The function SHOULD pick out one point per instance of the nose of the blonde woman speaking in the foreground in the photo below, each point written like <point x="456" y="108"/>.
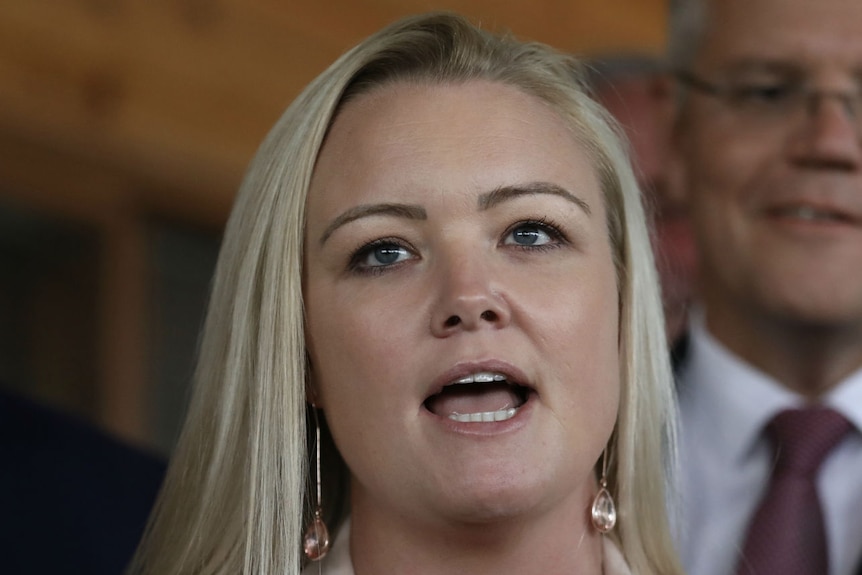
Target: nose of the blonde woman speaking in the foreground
<point x="469" y="299"/>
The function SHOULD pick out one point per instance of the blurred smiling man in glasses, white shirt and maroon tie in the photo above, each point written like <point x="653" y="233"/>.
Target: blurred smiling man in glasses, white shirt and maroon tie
<point x="768" y="147"/>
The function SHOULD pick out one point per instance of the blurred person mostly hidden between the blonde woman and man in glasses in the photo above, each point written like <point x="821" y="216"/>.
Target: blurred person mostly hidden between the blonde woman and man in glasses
<point x="630" y="87"/>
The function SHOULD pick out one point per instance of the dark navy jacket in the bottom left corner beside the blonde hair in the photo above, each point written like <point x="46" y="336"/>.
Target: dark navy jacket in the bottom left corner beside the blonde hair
<point x="72" y="500"/>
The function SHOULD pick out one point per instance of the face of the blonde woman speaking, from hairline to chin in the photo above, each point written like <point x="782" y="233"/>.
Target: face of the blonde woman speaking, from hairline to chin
<point x="461" y="302"/>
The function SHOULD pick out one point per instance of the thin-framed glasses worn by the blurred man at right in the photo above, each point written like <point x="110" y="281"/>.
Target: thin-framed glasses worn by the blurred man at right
<point x="765" y="103"/>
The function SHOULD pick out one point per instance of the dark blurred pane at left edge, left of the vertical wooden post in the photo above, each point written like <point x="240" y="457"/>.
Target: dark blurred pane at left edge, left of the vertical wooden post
<point x="49" y="309"/>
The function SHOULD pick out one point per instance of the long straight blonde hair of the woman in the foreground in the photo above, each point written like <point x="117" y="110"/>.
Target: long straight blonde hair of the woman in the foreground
<point x="236" y="495"/>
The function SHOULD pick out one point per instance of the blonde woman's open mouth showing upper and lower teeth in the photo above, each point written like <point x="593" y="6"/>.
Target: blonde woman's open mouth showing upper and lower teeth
<point x="481" y="397"/>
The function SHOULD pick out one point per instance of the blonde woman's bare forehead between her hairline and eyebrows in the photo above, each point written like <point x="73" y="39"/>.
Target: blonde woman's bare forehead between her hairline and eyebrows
<point x="428" y="127"/>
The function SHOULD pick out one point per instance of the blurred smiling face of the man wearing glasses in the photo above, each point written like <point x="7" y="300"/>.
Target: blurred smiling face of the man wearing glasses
<point x="775" y="177"/>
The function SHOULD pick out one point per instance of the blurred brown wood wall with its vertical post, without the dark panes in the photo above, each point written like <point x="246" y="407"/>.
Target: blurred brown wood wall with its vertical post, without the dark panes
<point x="116" y="113"/>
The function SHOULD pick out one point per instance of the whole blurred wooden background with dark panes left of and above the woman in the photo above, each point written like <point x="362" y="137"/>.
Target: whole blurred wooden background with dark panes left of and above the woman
<point x="125" y="128"/>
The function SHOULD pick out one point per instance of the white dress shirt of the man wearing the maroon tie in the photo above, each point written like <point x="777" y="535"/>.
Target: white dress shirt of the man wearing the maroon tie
<point x="725" y="404"/>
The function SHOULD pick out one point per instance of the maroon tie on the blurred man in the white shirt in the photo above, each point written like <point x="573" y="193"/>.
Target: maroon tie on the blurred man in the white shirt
<point x="786" y="535"/>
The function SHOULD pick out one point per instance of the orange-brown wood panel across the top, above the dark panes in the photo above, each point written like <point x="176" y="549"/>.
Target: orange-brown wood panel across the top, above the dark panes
<point x="181" y="92"/>
